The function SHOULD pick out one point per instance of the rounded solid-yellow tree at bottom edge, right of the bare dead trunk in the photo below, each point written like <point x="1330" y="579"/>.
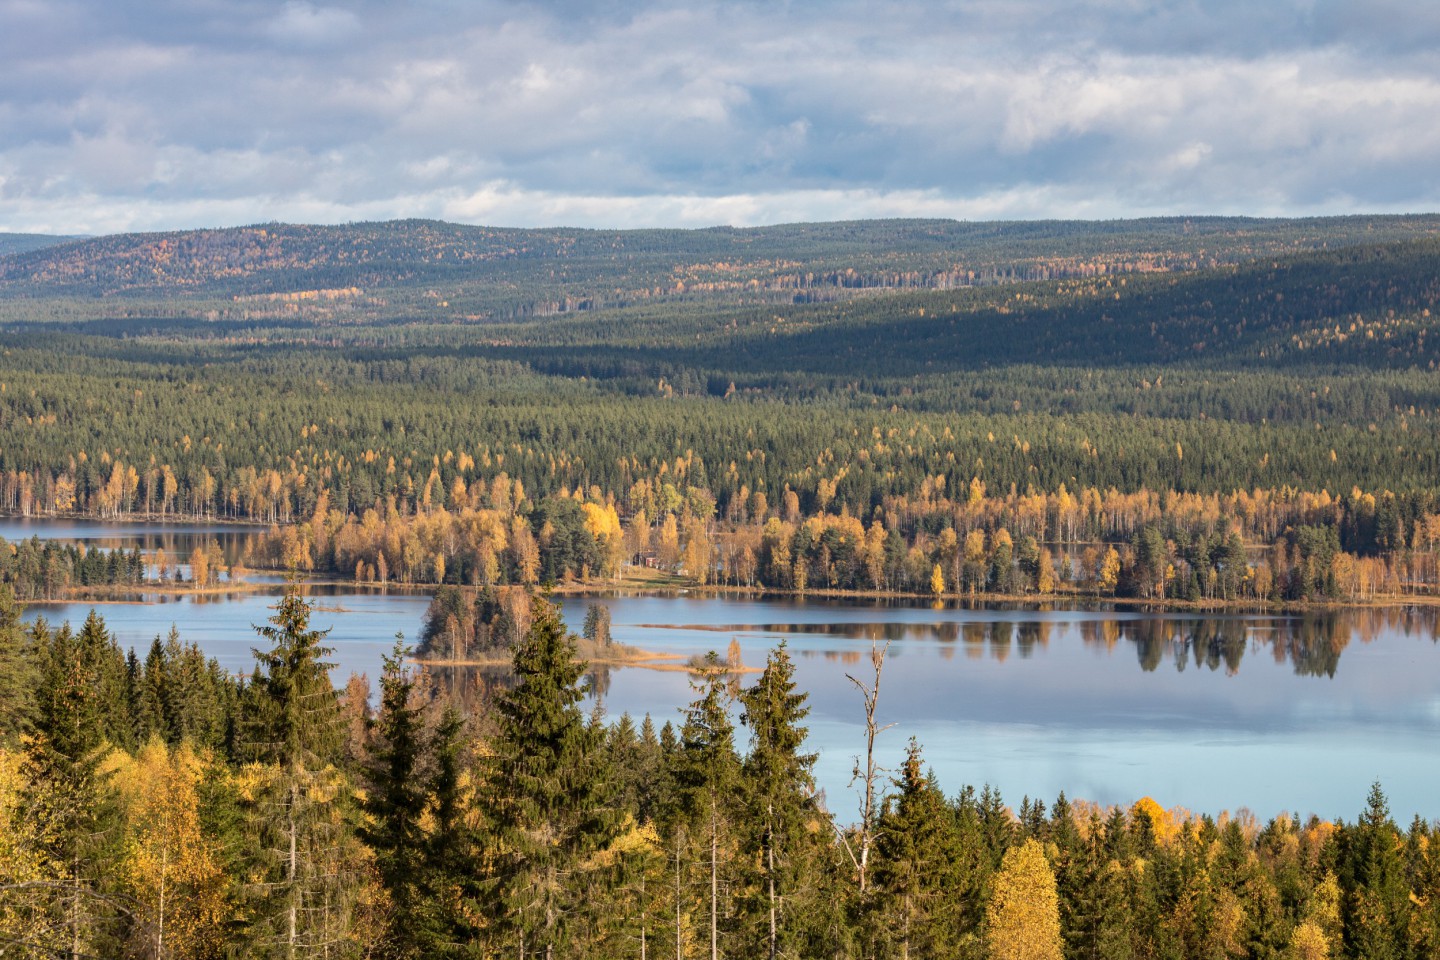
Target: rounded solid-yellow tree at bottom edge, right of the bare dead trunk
<point x="1023" y="918"/>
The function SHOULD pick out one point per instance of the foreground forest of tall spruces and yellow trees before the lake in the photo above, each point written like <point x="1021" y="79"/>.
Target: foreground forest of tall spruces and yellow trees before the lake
<point x="159" y="808"/>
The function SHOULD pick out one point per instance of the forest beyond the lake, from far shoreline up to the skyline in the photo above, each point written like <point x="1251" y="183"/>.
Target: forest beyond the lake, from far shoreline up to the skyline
<point x="1246" y="411"/>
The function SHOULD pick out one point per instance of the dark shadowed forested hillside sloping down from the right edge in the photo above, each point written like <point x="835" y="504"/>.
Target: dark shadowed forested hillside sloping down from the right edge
<point x="1366" y="306"/>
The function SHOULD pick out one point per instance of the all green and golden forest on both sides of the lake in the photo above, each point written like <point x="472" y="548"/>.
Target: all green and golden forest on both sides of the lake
<point x="1205" y="411"/>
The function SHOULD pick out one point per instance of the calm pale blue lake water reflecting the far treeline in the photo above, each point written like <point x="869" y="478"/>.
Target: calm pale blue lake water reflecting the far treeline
<point x="1271" y="713"/>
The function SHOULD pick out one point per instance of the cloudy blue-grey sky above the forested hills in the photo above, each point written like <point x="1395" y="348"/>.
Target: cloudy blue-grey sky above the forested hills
<point x="174" y="114"/>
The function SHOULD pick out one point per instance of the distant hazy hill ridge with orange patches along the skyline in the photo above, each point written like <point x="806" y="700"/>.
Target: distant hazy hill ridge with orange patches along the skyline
<point x="521" y="271"/>
